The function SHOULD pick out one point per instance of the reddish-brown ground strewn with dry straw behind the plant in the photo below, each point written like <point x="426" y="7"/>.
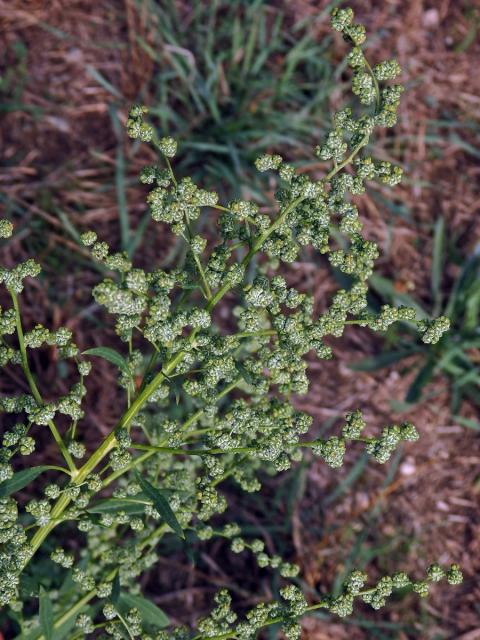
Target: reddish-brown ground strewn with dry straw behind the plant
<point x="430" y="508"/>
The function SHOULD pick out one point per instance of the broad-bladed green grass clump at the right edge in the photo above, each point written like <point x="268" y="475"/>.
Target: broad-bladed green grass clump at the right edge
<point x="454" y="356"/>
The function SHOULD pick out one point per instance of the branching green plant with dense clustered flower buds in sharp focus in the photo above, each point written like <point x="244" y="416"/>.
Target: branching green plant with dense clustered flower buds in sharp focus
<point x="157" y="473"/>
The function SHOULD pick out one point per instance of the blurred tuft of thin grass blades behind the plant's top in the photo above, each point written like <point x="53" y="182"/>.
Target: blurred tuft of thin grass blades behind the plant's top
<point x="233" y="79"/>
